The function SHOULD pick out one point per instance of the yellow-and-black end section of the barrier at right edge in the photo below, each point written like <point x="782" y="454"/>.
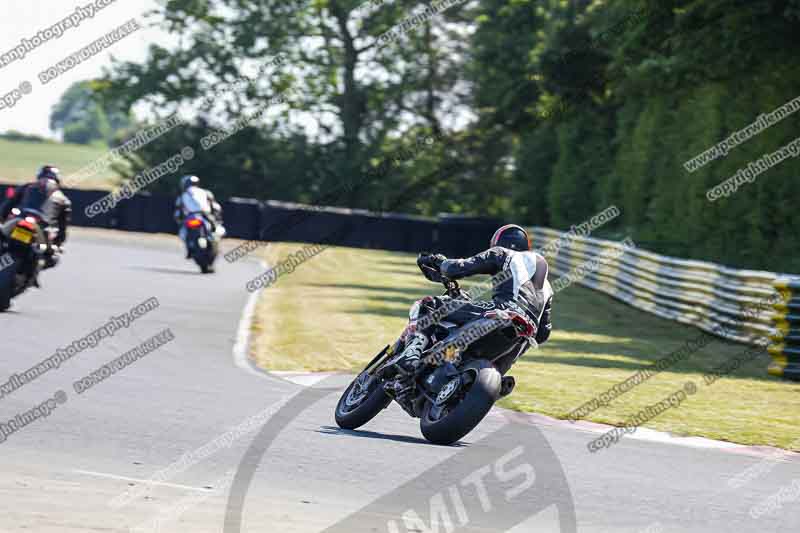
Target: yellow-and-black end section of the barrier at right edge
<point x="785" y="349"/>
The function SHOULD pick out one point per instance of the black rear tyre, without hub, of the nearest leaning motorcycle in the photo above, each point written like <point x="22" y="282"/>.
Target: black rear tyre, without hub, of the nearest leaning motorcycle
<point x="469" y="412"/>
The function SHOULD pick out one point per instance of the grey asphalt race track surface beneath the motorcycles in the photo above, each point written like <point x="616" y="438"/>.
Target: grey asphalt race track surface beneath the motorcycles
<point x="60" y="473"/>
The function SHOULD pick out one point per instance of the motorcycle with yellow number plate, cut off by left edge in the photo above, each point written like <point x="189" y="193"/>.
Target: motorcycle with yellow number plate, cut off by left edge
<point x="23" y="245"/>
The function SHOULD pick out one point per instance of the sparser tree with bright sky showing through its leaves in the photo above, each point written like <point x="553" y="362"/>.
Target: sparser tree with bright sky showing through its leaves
<point x="352" y="96"/>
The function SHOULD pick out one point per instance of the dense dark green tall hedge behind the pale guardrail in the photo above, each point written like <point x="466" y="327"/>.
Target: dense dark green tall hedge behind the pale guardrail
<point x="640" y="87"/>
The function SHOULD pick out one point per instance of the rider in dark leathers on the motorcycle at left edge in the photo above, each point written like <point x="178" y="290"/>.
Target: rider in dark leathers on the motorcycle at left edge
<point x="44" y="195"/>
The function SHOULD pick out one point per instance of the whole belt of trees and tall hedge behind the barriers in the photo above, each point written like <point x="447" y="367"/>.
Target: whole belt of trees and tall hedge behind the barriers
<point x="546" y="112"/>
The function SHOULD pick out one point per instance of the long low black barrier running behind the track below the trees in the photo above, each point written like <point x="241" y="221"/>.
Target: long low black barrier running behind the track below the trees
<point x="273" y="221"/>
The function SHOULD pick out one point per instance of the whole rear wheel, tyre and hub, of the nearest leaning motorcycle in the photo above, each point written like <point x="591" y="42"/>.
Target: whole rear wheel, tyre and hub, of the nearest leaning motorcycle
<point x="462" y="408"/>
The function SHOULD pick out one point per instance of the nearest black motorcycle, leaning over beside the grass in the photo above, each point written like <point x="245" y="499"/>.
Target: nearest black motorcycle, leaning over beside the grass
<point x="454" y="388"/>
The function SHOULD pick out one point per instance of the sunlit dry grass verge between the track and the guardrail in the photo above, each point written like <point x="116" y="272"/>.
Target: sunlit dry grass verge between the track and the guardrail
<point x="338" y="309"/>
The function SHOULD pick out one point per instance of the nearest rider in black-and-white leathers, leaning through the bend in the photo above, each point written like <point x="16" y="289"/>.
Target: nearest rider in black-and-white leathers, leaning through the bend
<point x="525" y="291"/>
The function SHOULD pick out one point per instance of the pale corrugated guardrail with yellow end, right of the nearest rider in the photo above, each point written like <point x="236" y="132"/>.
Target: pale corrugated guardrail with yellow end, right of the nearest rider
<point x="697" y="293"/>
